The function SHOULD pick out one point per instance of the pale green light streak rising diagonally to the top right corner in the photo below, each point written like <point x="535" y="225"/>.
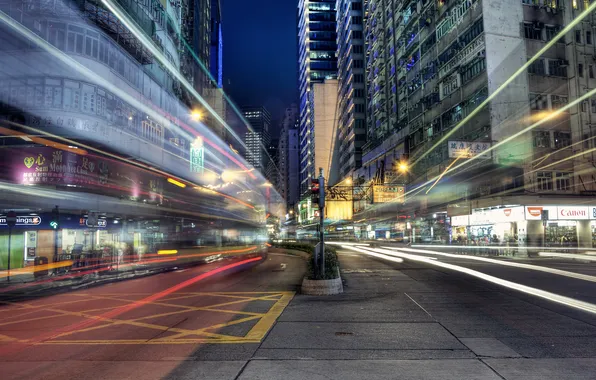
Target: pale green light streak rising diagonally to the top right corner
<point x="523" y="68"/>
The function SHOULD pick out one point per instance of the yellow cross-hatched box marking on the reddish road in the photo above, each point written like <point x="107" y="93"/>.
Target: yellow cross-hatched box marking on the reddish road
<point x="180" y="318"/>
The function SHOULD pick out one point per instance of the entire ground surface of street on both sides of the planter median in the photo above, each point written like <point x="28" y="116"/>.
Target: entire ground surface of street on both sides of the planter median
<point x="395" y="321"/>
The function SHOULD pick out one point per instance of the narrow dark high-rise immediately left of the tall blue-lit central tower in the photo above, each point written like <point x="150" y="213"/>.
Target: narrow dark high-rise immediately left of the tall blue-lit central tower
<point x="289" y="185"/>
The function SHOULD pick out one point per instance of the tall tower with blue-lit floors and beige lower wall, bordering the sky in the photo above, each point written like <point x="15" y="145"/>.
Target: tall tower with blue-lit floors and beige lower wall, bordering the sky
<point x="317" y="65"/>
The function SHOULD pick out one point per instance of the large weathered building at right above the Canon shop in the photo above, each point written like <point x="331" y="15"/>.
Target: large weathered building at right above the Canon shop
<point x="433" y="63"/>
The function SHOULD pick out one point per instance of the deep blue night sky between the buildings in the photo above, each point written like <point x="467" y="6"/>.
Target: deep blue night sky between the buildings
<point x="259" y="45"/>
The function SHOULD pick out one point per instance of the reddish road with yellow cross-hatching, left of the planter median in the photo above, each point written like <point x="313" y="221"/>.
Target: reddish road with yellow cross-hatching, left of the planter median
<point x="148" y="328"/>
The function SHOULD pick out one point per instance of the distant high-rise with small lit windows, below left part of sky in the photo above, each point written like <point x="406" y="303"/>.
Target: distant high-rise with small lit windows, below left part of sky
<point x="258" y="138"/>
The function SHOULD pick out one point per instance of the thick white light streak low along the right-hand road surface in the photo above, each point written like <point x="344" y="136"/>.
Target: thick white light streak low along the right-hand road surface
<point x="581" y="305"/>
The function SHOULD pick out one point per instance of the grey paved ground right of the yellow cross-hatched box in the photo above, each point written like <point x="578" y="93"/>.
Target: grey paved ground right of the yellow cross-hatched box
<point x="404" y="321"/>
